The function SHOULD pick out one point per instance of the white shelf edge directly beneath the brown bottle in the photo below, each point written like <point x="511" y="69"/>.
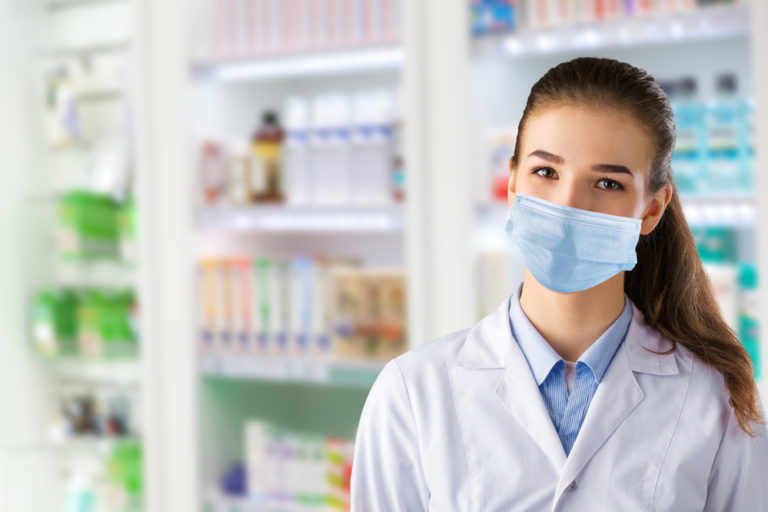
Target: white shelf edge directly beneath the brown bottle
<point x="324" y="219"/>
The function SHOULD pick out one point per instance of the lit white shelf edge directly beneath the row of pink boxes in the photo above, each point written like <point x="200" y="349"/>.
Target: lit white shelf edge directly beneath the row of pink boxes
<point x="300" y="65"/>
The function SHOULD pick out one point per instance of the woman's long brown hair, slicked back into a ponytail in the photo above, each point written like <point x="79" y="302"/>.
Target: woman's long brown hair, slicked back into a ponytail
<point x="669" y="284"/>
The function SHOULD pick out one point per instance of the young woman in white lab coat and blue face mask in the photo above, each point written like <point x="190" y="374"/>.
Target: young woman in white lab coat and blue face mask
<point x="608" y="380"/>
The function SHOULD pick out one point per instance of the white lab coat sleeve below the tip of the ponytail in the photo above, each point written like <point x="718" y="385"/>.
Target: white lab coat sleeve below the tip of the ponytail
<point x="739" y="476"/>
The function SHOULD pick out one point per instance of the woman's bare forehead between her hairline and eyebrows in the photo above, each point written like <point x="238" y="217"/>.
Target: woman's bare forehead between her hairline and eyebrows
<point x="585" y="135"/>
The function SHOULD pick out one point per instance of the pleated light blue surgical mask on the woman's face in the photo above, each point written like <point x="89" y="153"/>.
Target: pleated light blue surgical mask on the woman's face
<point x="568" y="249"/>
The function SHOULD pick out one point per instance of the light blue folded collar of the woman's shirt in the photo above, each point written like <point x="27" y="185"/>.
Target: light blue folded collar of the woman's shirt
<point x="542" y="357"/>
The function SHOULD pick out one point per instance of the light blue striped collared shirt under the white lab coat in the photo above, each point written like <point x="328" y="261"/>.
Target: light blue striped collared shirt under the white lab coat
<point x="567" y="412"/>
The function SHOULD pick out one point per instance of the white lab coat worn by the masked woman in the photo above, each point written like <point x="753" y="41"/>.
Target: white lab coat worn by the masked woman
<point x="458" y="424"/>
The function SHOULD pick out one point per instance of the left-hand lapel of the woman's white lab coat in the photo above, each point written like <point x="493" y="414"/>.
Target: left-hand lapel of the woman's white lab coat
<point x="490" y="344"/>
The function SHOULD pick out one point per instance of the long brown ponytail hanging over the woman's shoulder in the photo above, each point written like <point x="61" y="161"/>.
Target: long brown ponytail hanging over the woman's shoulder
<point x="672" y="289"/>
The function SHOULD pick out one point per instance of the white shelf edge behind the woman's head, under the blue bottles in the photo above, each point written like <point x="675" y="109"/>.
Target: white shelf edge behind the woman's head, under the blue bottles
<point x="731" y="211"/>
